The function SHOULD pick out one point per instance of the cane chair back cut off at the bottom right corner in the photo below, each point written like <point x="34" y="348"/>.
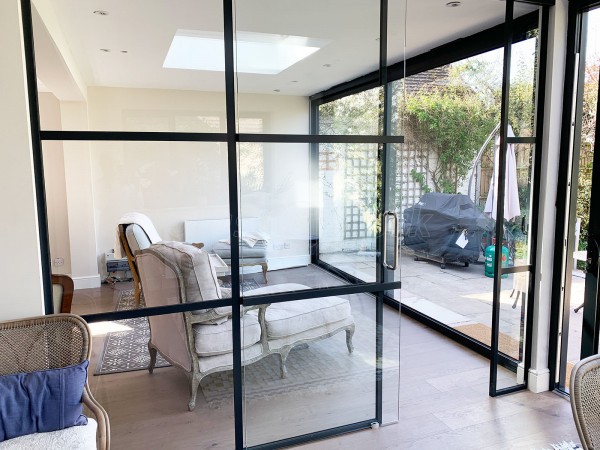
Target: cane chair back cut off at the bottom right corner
<point x="585" y="400"/>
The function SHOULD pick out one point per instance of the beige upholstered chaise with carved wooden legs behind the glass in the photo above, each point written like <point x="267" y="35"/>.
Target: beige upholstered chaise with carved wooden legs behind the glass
<point x="200" y="342"/>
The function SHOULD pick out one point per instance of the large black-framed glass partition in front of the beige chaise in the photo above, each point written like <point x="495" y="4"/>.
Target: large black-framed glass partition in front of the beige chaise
<point x="202" y="125"/>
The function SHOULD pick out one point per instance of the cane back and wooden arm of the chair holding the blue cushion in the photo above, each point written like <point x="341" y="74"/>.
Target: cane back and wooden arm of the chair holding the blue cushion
<point x="48" y="342"/>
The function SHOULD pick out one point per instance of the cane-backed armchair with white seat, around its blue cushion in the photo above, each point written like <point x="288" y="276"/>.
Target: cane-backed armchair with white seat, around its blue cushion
<point x="52" y="342"/>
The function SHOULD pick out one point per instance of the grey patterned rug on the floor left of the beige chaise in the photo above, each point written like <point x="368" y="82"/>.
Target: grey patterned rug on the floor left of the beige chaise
<point x="126" y="351"/>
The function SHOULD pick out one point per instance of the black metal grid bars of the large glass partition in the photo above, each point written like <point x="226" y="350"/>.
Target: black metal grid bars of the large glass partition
<point x="231" y="138"/>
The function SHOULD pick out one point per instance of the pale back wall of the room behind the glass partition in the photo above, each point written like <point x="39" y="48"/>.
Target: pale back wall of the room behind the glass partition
<point x="175" y="181"/>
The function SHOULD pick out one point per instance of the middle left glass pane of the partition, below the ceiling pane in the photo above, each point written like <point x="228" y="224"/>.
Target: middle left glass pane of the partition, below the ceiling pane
<point x="93" y="188"/>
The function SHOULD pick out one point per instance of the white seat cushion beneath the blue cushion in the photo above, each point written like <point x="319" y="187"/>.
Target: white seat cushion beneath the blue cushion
<point x="74" y="438"/>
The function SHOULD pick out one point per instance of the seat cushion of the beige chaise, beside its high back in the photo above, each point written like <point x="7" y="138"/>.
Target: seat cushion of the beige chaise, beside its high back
<point x="216" y="339"/>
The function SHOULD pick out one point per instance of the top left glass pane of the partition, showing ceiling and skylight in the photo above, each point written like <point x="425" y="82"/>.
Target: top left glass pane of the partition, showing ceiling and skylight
<point x="167" y="74"/>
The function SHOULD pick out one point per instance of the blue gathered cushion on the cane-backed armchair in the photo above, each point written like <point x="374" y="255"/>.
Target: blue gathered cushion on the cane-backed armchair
<point x="38" y="402"/>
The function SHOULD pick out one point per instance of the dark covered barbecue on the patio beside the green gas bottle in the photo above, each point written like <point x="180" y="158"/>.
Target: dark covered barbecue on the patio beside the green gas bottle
<point x="445" y="228"/>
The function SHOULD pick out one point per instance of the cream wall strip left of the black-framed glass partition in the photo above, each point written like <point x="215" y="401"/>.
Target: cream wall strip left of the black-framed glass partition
<point x="20" y="267"/>
